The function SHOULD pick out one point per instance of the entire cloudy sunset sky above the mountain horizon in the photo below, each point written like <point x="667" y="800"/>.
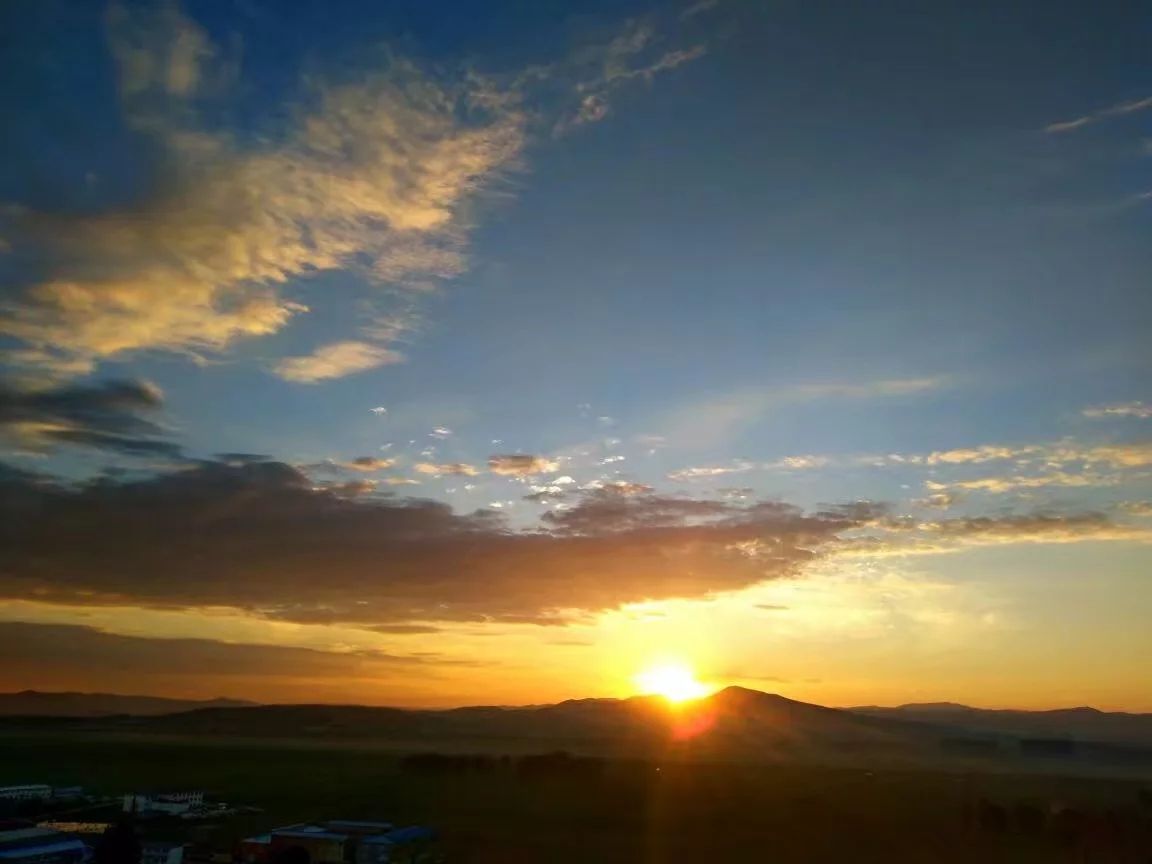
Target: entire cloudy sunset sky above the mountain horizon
<point x="444" y="354"/>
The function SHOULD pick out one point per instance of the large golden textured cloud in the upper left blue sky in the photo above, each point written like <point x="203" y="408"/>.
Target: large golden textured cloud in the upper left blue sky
<point x="370" y="175"/>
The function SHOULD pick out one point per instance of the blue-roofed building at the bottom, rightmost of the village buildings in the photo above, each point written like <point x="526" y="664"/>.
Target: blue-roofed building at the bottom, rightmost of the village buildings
<point x="340" y="842"/>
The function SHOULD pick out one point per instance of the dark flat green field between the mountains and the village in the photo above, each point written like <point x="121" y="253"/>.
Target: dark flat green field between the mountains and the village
<point x="615" y="812"/>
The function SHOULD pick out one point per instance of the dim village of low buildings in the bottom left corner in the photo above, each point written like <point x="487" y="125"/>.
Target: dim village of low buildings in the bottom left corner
<point x="42" y="824"/>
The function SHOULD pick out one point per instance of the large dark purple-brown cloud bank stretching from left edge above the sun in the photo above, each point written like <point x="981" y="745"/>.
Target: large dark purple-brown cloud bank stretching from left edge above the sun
<point x="262" y="539"/>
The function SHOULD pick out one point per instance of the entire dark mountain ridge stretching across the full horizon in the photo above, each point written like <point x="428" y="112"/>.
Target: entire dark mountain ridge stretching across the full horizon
<point x="731" y="725"/>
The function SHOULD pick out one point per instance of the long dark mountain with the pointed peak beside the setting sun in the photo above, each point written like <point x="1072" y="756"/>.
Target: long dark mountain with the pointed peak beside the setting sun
<point x="734" y="723"/>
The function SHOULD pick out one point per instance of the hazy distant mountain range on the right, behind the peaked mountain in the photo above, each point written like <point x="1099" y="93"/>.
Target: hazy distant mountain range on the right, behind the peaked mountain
<point x="1080" y="724"/>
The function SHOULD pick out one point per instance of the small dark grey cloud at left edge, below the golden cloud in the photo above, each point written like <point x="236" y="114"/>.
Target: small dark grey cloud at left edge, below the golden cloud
<point x="117" y="416"/>
